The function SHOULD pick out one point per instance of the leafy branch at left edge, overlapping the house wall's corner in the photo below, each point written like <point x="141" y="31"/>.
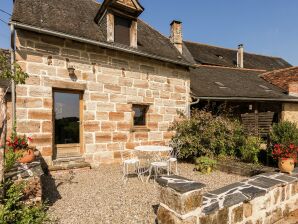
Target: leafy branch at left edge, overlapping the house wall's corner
<point x="5" y="71"/>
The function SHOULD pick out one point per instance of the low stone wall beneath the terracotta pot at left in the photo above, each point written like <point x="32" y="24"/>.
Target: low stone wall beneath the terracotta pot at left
<point x="30" y="174"/>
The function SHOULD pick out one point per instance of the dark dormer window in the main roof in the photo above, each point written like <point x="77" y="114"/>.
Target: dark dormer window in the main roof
<point x="122" y="30"/>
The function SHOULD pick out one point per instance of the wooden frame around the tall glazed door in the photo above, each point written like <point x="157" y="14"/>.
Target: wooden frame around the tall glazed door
<point x="81" y="109"/>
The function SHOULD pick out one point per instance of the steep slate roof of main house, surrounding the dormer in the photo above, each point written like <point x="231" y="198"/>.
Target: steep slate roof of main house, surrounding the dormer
<point x="76" y="17"/>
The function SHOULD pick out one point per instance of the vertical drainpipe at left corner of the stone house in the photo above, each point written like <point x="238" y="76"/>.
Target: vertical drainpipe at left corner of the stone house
<point x="13" y="86"/>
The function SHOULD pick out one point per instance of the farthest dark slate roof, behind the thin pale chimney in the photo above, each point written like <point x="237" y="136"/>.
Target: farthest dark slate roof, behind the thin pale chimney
<point x="211" y="55"/>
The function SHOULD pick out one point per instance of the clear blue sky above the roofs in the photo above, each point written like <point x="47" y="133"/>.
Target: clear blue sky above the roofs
<point x="268" y="27"/>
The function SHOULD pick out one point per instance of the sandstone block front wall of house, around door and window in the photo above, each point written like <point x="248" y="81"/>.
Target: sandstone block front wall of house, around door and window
<point x="110" y="82"/>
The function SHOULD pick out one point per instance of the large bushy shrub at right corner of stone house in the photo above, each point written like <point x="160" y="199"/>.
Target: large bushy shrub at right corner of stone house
<point x="205" y="135"/>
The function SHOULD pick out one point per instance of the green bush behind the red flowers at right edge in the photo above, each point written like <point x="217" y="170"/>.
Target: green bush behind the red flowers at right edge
<point x="284" y="133"/>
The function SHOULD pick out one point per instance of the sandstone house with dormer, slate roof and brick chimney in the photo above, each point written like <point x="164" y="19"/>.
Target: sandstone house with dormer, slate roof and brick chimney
<point x="101" y="80"/>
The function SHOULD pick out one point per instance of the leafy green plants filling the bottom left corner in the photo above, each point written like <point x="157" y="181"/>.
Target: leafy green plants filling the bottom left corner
<point x="14" y="210"/>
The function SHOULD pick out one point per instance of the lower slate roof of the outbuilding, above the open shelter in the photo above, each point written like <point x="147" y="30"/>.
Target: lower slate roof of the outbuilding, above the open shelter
<point x="218" y="82"/>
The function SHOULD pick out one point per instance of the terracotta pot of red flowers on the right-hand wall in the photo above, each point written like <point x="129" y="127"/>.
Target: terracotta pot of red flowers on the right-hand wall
<point x="286" y="156"/>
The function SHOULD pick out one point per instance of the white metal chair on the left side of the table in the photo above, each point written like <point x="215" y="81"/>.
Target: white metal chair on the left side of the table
<point x="129" y="159"/>
